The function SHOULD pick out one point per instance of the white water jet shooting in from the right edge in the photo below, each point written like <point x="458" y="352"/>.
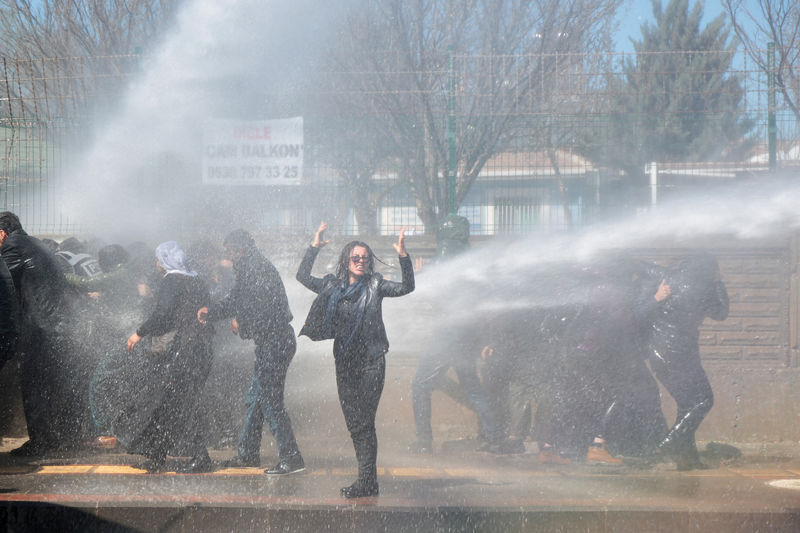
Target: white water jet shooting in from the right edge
<point x="550" y="270"/>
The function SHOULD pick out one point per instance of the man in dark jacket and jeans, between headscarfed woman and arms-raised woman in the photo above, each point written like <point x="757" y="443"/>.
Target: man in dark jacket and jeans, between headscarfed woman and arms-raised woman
<point x="260" y="311"/>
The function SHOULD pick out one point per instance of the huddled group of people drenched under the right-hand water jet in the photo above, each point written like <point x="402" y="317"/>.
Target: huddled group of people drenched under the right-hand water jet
<point x="581" y="355"/>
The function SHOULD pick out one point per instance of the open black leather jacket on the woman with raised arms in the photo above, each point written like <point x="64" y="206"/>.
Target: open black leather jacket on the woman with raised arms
<point x="372" y="329"/>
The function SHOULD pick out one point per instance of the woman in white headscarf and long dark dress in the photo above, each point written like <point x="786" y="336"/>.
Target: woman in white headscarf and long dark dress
<point x="158" y="409"/>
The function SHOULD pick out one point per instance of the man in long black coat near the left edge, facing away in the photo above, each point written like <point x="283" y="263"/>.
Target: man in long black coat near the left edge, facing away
<point x="50" y="376"/>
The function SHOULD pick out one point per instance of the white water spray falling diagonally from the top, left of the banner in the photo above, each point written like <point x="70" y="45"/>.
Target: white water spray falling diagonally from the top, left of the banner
<point x="221" y="60"/>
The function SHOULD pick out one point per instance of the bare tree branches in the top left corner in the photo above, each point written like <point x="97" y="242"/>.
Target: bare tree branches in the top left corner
<point x="61" y="56"/>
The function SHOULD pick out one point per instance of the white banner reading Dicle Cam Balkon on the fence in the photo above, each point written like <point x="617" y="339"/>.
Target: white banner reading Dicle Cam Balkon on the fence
<point x="253" y="152"/>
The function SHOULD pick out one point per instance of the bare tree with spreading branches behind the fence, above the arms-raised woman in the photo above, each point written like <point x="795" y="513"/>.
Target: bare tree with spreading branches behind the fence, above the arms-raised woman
<point x="484" y="66"/>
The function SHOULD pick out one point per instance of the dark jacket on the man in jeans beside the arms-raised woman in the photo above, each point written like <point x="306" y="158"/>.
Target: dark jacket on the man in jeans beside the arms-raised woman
<point x="258" y="298"/>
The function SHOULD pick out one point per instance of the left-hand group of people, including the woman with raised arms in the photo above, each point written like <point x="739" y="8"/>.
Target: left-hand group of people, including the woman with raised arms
<point x="144" y="393"/>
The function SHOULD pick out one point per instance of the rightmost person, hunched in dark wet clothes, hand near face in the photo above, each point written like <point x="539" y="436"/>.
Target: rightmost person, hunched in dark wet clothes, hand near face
<point x="684" y="297"/>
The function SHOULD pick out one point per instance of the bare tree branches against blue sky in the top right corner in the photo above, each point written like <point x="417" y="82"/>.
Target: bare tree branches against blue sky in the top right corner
<point x="776" y="21"/>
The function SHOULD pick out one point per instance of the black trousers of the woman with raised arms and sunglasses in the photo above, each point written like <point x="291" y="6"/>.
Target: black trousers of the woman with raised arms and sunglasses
<point x="359" y="379"/>
